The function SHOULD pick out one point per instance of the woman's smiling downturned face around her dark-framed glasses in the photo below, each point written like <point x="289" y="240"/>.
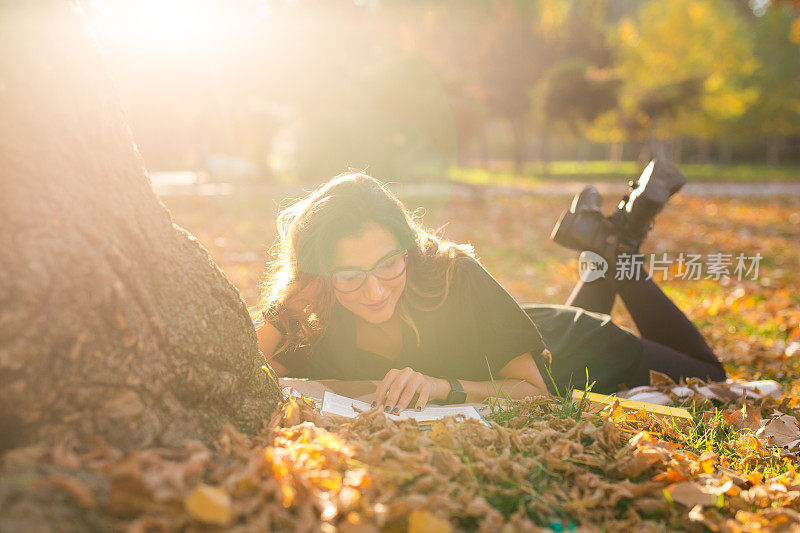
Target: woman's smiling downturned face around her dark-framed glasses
<point x="376" y="300"/>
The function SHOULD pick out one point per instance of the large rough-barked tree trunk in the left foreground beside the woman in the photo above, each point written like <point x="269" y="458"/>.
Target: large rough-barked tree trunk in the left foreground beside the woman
<point x="114" y="322"/>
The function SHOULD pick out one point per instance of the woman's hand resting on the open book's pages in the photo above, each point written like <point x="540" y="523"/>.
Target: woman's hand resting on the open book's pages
<point x="399" y="387"/>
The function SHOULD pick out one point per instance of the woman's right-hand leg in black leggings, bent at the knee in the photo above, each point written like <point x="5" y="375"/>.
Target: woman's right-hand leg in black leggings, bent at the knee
<point x="666" y="327"/>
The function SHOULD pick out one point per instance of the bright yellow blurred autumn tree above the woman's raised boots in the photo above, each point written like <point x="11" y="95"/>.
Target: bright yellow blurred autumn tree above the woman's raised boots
<point x="685" y="64"/>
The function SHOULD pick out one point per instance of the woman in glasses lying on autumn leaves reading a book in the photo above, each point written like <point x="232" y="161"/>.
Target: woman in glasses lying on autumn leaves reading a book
<point x="359" y="291"/>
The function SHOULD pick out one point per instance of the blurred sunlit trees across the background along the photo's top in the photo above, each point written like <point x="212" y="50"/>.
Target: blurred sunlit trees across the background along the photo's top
<point x="287" y="91"/>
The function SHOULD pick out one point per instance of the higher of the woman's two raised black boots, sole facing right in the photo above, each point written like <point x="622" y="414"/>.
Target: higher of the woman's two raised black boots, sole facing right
<point x="634" y="215"/>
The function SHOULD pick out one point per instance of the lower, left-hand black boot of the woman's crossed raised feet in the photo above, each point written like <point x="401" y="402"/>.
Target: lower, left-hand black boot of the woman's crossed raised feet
<point x="583" y="227"/>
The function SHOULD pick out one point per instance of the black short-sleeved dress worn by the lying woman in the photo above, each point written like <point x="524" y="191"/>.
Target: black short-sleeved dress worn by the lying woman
<point x="476" y="331"/>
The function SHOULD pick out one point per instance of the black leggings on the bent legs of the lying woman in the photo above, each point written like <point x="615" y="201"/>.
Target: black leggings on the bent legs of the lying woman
<point x="671" y="344"/>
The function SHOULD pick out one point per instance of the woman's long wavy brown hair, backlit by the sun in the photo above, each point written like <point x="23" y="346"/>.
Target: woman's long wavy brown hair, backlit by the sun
<point x="308" y="232"/>
